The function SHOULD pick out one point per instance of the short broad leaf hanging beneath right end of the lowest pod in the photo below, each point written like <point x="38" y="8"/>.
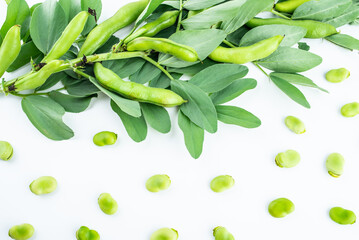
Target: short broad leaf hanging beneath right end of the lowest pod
<point x="157" y="117"/>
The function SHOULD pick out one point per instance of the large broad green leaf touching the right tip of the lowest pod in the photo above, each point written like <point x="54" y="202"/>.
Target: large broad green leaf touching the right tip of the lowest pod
<point x="199" y="108"/>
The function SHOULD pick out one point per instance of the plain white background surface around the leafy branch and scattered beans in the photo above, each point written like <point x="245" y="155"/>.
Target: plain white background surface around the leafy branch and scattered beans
<point x="84" y="171"/>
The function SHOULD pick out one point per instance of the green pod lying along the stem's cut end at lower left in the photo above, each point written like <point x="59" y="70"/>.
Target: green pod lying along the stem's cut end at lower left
<point x="36" y="79"/>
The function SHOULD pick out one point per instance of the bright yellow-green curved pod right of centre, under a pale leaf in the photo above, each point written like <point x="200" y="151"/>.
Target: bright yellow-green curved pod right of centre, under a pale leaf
<point x="240" y="55"/>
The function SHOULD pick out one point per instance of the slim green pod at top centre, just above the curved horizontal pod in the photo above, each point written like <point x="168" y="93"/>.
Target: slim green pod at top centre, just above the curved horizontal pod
<point x="166" y="20"/>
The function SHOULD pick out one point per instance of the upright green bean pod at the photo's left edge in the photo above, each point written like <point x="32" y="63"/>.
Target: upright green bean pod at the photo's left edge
<point x="10" y="48"/>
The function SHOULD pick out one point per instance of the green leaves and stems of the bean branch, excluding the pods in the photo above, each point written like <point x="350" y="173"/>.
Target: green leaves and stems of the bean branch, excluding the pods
<point x="206" y="86"/>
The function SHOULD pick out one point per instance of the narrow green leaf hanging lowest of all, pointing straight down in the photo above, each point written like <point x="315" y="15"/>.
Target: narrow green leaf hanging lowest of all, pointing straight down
<point x="193" y="135"/>
